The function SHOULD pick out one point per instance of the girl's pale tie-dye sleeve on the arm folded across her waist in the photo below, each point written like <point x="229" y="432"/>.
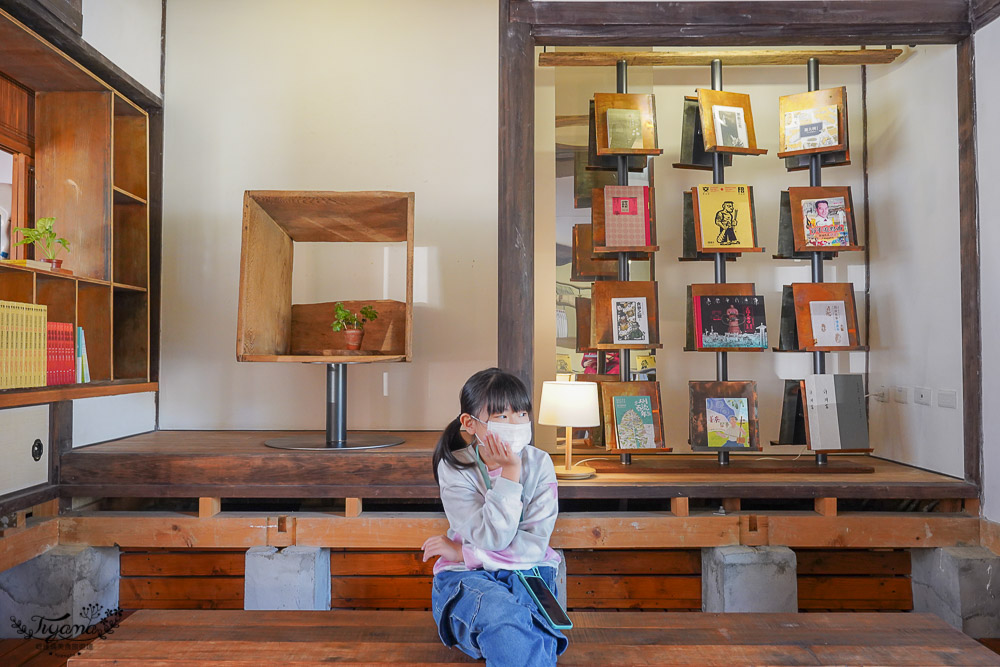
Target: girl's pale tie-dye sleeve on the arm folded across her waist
<point x="530" y="543"/>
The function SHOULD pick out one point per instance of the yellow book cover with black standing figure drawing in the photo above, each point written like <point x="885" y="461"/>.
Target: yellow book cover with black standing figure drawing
<point x="724" y="217"/>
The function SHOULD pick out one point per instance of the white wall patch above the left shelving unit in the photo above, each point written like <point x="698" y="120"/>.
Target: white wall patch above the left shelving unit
<point x="128" y="33"/>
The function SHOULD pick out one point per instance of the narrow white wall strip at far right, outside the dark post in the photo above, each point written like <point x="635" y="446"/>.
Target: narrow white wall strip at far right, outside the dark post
<point x="988" y="107"/>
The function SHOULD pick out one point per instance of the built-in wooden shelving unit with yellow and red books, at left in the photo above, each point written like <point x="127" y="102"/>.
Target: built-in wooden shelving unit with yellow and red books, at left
<point x="91" y="173"/>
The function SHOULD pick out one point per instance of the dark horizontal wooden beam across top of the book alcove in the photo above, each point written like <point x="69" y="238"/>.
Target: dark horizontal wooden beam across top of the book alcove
<point x="728" y="22"/>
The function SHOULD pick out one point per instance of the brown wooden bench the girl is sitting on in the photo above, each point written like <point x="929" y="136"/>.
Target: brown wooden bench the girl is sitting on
<point x="218" y="637"/>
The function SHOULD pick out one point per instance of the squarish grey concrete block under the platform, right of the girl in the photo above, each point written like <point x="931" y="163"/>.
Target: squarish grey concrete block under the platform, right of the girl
<point x="748" y="579"/>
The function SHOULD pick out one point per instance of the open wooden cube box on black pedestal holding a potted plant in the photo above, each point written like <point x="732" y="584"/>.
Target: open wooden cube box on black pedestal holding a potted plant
<point x="272" y="328"/>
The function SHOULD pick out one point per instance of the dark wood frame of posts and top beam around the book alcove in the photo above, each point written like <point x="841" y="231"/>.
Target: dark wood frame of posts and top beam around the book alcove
<point x="525" y="24"/>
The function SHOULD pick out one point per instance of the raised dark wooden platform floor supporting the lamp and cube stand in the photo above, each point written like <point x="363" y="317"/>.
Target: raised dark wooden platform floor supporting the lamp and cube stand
<point x="237" y="464"/>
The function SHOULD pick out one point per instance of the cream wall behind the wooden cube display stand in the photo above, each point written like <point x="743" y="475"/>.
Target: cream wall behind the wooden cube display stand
<point x="314" y="95"/>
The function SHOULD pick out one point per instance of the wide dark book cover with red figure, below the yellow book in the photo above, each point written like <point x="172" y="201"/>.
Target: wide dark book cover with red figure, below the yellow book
<point x="731" y="322"/>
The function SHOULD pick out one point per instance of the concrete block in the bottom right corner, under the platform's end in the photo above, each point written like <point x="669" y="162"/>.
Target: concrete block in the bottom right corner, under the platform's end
<point x="960" y="585"/>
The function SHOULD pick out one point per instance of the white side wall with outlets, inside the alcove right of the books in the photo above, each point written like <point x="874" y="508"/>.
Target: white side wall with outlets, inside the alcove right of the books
<point x="916" y="329"/>
